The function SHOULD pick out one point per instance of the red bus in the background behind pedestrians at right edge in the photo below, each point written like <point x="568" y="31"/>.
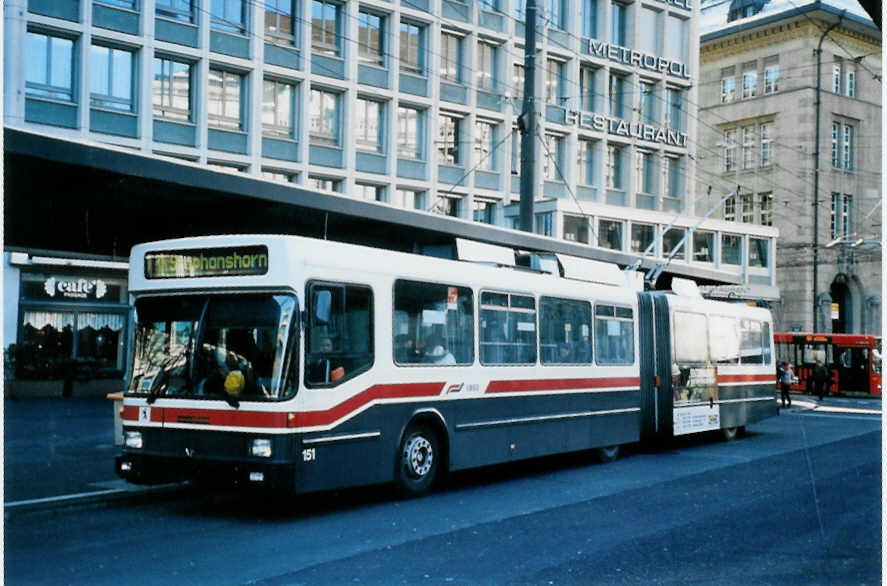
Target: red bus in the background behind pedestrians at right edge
<point x="853" y="359"/>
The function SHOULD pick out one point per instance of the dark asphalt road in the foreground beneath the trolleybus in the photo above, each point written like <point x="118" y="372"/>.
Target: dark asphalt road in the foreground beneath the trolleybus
<point x="797" y="501"/>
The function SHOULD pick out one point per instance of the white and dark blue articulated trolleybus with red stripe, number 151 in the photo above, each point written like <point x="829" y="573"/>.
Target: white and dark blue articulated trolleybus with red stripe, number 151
<point x="300" y="364"/>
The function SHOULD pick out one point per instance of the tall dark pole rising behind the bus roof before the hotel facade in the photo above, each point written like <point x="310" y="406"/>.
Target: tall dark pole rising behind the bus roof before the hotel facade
<point x="527" y="122"/>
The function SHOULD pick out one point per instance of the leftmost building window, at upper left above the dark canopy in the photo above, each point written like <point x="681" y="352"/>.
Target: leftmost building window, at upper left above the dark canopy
<point x="49" y="67"/>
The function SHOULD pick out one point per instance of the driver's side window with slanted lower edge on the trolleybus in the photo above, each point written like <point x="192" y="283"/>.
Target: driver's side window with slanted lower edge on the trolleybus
<point x="339" y="338"/>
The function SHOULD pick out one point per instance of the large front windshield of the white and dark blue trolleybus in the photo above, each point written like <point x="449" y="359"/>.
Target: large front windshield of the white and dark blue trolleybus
<point x="216" y="346"/>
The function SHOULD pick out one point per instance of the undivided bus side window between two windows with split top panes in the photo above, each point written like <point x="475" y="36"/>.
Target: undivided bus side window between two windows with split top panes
<point x="564" y="331"/>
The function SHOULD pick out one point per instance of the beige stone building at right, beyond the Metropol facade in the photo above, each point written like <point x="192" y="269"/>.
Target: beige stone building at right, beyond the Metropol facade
<point x="758" y="130"/>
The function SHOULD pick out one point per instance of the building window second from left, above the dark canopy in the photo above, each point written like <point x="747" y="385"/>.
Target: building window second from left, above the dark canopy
<point x="111" y="78"/>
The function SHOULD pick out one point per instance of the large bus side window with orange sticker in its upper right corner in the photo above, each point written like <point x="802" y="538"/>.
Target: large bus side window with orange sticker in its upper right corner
<point x="433" y="324"/>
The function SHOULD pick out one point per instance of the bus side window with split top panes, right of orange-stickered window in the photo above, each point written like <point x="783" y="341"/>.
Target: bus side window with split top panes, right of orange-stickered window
<point x="507" y="328"/>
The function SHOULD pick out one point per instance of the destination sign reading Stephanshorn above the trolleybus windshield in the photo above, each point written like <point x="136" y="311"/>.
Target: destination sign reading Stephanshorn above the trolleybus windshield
<point x="207" y="262"/>
